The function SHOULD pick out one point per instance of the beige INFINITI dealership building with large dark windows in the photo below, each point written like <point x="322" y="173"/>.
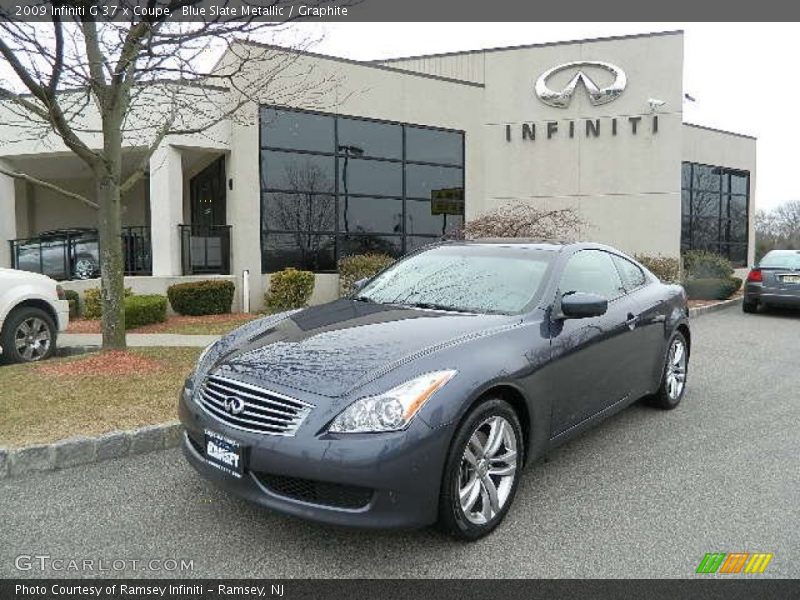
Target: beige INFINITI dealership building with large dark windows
<point x="391" y="155"/>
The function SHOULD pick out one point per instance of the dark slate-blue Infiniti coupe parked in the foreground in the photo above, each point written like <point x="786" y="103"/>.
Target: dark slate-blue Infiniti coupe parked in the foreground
<point x="420" y="398"/>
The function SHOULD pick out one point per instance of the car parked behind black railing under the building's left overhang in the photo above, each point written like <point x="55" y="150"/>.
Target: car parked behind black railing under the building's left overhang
<point x="62" y="254"/>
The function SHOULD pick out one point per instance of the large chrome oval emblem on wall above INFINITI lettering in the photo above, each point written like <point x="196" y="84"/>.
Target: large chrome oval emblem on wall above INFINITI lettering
<point x="597" y="95"/>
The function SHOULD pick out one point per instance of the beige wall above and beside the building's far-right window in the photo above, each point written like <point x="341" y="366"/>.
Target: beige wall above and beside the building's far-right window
<point x="725" y="149"/>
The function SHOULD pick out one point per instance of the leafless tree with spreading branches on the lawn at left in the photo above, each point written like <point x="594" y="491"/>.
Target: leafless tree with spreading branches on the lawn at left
<point x="97" y="86"/>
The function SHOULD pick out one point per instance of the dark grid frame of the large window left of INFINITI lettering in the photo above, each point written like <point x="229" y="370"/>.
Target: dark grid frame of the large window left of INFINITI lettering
<point x="340" y="235"/>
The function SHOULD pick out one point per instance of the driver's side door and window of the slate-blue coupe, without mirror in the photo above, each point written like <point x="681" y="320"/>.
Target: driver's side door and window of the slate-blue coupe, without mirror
<point x="591" y="357"/>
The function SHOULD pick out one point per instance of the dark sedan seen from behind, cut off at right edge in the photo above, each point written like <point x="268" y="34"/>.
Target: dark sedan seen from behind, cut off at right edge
<point x="774" y="281"/>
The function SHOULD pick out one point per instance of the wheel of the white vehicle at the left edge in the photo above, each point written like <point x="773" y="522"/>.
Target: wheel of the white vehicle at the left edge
<point x="28" y="335"/>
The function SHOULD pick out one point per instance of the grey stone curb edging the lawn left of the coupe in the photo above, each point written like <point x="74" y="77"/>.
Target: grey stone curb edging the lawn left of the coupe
<point x="84" y="450"/>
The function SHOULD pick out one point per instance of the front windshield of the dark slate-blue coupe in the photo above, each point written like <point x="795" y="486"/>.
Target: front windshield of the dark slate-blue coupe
<point x="470" y="278"/>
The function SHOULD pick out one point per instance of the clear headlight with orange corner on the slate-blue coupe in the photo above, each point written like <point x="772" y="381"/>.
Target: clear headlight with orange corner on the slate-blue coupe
<point x="392" y="410"/>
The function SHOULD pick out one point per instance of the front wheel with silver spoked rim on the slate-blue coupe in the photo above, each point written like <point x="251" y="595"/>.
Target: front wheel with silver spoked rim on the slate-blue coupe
<point x="482" y="471"/>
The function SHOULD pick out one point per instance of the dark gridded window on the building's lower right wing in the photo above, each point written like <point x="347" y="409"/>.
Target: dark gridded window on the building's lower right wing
<point x="715" y="204"/>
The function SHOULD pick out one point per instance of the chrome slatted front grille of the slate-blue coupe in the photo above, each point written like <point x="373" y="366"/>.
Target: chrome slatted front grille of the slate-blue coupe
<point x="263" y="411"/>
